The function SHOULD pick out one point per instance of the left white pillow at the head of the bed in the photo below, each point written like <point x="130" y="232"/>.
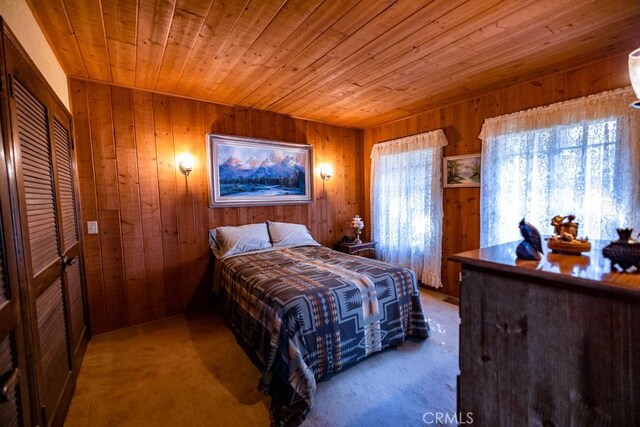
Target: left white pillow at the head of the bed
<point x="229" y="240"/>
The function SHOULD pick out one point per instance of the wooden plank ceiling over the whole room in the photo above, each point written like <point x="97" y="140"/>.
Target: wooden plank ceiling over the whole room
<point x="349" y="62"/>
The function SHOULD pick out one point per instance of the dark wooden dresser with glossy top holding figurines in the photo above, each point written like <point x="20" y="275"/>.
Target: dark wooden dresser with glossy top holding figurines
<point x="554" y="342"/>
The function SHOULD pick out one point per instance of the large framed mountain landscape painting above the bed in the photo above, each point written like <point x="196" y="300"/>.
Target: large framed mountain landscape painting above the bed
<point x="258" y="172"/>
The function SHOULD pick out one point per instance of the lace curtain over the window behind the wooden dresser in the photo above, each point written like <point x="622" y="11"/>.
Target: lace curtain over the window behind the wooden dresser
<point x="578" y="157"/>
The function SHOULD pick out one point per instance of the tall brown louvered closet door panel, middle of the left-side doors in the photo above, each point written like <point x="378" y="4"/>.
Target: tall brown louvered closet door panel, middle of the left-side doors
<point x="38" y="202"/>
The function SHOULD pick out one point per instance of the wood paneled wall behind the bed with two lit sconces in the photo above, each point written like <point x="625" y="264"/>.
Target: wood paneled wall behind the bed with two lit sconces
<point x="151" y="256"/>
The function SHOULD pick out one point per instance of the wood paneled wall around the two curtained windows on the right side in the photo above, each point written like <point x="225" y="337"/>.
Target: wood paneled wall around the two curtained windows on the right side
<point x="462" y="123"/>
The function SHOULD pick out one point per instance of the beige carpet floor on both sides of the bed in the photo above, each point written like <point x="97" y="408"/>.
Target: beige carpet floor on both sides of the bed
<point x="188" y="370"/>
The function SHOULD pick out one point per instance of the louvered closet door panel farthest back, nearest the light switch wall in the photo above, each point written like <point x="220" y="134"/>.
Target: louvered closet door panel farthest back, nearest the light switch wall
<point x="69" y="223"/>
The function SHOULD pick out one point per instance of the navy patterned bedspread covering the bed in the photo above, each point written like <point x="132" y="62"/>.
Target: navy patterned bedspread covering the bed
<point x="310" y="311"/>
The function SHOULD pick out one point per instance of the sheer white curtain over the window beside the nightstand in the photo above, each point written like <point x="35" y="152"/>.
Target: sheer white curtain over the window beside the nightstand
<point x="406" y="195"/>
